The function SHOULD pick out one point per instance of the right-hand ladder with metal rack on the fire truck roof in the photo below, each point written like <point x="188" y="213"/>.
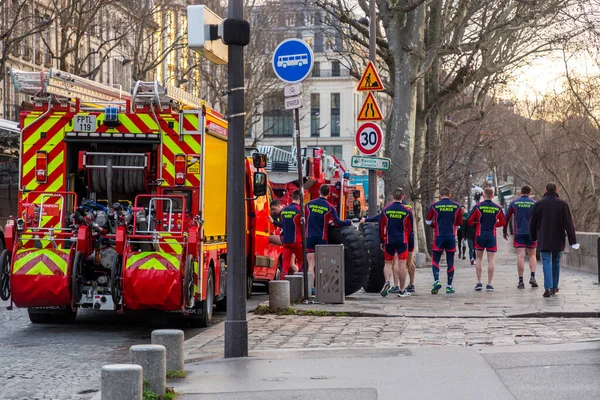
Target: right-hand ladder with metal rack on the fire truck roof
<point x="163" y="96"/>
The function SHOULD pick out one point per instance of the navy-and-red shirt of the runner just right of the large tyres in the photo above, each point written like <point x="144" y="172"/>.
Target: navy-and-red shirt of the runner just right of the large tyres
<point x="395" y="223"/>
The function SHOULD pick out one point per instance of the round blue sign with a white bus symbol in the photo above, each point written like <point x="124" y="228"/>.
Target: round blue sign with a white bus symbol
<point x="293" y="60"/>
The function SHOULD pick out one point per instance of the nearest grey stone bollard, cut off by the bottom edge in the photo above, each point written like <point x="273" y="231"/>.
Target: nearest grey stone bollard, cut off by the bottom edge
<point x="121" y="382"/>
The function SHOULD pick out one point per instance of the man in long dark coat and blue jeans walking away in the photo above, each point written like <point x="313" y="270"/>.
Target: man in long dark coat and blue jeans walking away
<point x="550" y="221"/>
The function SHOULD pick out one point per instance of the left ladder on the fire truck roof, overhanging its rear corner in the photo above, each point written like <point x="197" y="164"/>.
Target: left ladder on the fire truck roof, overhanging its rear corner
<point x="63" y="85"/>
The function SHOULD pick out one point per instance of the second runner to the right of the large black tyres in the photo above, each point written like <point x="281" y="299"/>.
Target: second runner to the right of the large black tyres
<point x="444" y="217"/>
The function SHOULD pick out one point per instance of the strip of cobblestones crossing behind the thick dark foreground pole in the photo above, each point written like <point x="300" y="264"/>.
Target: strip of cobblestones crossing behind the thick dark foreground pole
<point x="271" y="332"/>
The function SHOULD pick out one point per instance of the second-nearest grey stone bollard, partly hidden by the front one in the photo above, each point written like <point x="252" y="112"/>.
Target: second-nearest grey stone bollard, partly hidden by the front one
<point x="153" y="359"/>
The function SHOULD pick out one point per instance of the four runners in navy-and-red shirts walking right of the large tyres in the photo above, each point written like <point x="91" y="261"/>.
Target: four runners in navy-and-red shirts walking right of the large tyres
<point x="445" y="217"/>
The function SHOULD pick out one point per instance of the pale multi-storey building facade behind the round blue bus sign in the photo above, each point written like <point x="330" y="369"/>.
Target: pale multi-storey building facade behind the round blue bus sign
<point x="330" y="100"/>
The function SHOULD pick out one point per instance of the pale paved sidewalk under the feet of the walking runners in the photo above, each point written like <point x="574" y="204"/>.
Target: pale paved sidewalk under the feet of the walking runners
<point x="579" y="294"/>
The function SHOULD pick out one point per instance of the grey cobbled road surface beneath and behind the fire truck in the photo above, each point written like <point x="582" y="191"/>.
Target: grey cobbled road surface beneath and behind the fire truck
<point x="63" y="361"/>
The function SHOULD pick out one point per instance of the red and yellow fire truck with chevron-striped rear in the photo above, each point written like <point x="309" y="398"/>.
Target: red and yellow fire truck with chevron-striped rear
<point x="123" y="202"/>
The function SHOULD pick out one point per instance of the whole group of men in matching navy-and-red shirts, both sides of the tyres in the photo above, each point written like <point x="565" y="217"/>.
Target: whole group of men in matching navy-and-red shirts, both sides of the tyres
<point x="396" y="224"/>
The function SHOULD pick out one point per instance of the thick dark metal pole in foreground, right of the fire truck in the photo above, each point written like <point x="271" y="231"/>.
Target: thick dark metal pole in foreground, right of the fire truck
<point x="236" y="326"/>
